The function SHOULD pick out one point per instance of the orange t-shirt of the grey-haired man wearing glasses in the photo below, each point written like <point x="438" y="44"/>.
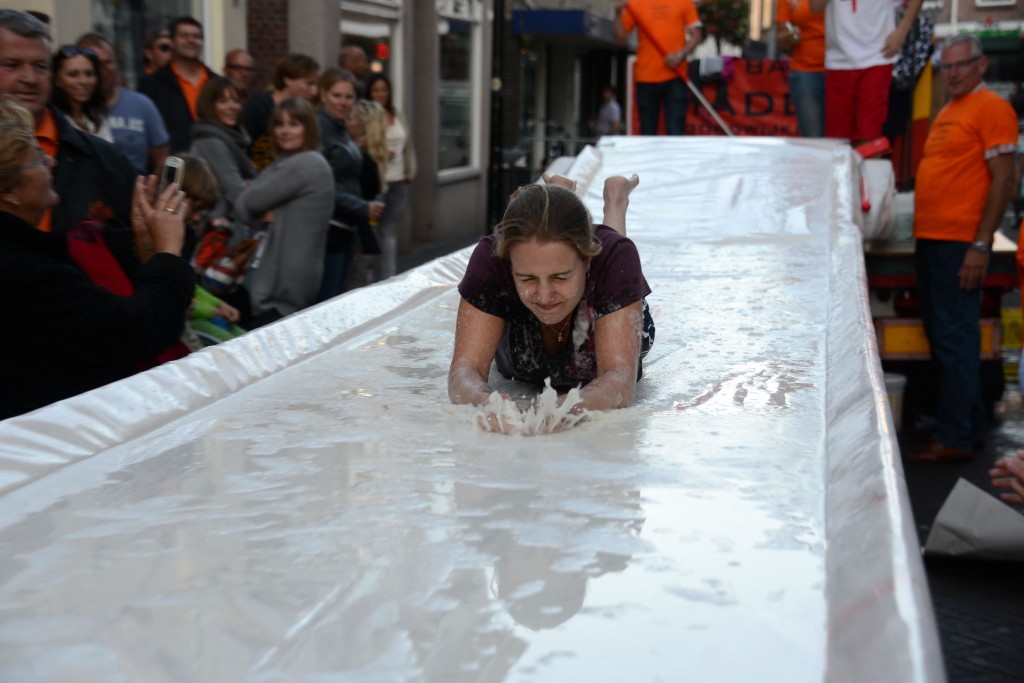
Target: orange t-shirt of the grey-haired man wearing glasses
<point x="954" y="178"/>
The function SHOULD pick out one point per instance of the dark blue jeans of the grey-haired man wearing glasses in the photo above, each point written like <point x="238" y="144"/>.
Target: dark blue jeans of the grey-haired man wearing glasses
<point x="951" y="316"/>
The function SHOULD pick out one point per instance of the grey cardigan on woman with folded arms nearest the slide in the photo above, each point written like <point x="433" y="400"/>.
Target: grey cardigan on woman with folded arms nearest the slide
<point x="300" y="190"/>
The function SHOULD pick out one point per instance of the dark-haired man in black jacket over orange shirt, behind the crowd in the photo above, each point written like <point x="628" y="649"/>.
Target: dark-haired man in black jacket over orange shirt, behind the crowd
<point x="175" y="89"/>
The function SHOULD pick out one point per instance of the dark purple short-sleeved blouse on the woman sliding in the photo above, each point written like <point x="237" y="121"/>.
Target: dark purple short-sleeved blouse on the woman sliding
<point x="615" y="282"/>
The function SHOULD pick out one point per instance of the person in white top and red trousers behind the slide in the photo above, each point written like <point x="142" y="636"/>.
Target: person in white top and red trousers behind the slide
<point x="862" y="44"/>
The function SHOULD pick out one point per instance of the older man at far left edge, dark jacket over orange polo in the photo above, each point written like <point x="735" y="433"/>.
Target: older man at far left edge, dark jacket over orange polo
<point x="94" y="180"/>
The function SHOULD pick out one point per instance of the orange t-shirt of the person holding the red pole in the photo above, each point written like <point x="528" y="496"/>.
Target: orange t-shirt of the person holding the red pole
<point x="662" y="26"/>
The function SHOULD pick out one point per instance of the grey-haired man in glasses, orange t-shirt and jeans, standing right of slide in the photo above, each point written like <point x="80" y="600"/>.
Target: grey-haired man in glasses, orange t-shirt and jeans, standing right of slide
<point x="964" y="184"/>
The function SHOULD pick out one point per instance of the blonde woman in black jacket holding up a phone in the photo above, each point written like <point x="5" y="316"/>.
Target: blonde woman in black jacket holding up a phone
<point x="74" y="335"/>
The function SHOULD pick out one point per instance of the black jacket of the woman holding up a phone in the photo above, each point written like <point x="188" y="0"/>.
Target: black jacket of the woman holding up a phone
<point x="65" y="335"/>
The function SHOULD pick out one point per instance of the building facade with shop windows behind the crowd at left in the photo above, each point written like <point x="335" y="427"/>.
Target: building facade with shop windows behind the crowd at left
<point x="437" y="53"/>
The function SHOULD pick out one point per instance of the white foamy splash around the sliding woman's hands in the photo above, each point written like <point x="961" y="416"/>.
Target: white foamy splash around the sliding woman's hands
<point x="542" y="416"/>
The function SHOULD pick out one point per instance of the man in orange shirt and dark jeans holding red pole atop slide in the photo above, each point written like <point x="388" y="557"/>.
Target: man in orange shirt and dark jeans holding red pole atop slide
<point x="669" y="32"/>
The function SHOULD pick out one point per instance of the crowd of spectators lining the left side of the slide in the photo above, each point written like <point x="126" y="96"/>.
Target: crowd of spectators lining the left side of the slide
<point x="286" y="198"/>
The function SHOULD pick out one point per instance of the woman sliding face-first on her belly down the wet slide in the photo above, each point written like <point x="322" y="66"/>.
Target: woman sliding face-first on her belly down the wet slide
<point x="551" y="295"/>
